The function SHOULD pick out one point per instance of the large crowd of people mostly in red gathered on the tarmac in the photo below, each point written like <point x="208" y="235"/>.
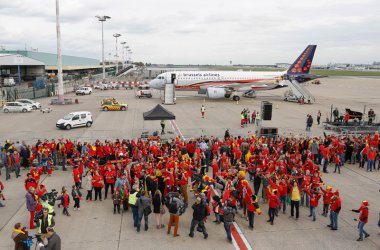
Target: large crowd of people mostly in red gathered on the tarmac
<point x="226" y="176"/>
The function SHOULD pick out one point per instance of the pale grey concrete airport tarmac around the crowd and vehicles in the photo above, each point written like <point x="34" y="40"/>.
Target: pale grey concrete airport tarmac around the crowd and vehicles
<point x="96" y="227"/>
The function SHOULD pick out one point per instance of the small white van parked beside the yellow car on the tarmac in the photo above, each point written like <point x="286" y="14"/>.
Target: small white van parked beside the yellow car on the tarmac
<point x="75" y="119"/>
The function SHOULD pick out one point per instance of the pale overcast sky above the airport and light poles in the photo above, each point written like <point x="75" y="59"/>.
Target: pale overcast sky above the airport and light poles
<point x="199" y="31"/>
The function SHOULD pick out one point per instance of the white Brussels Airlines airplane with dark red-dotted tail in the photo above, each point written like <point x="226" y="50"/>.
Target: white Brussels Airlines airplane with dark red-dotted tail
<point x="227" y="84"/>
